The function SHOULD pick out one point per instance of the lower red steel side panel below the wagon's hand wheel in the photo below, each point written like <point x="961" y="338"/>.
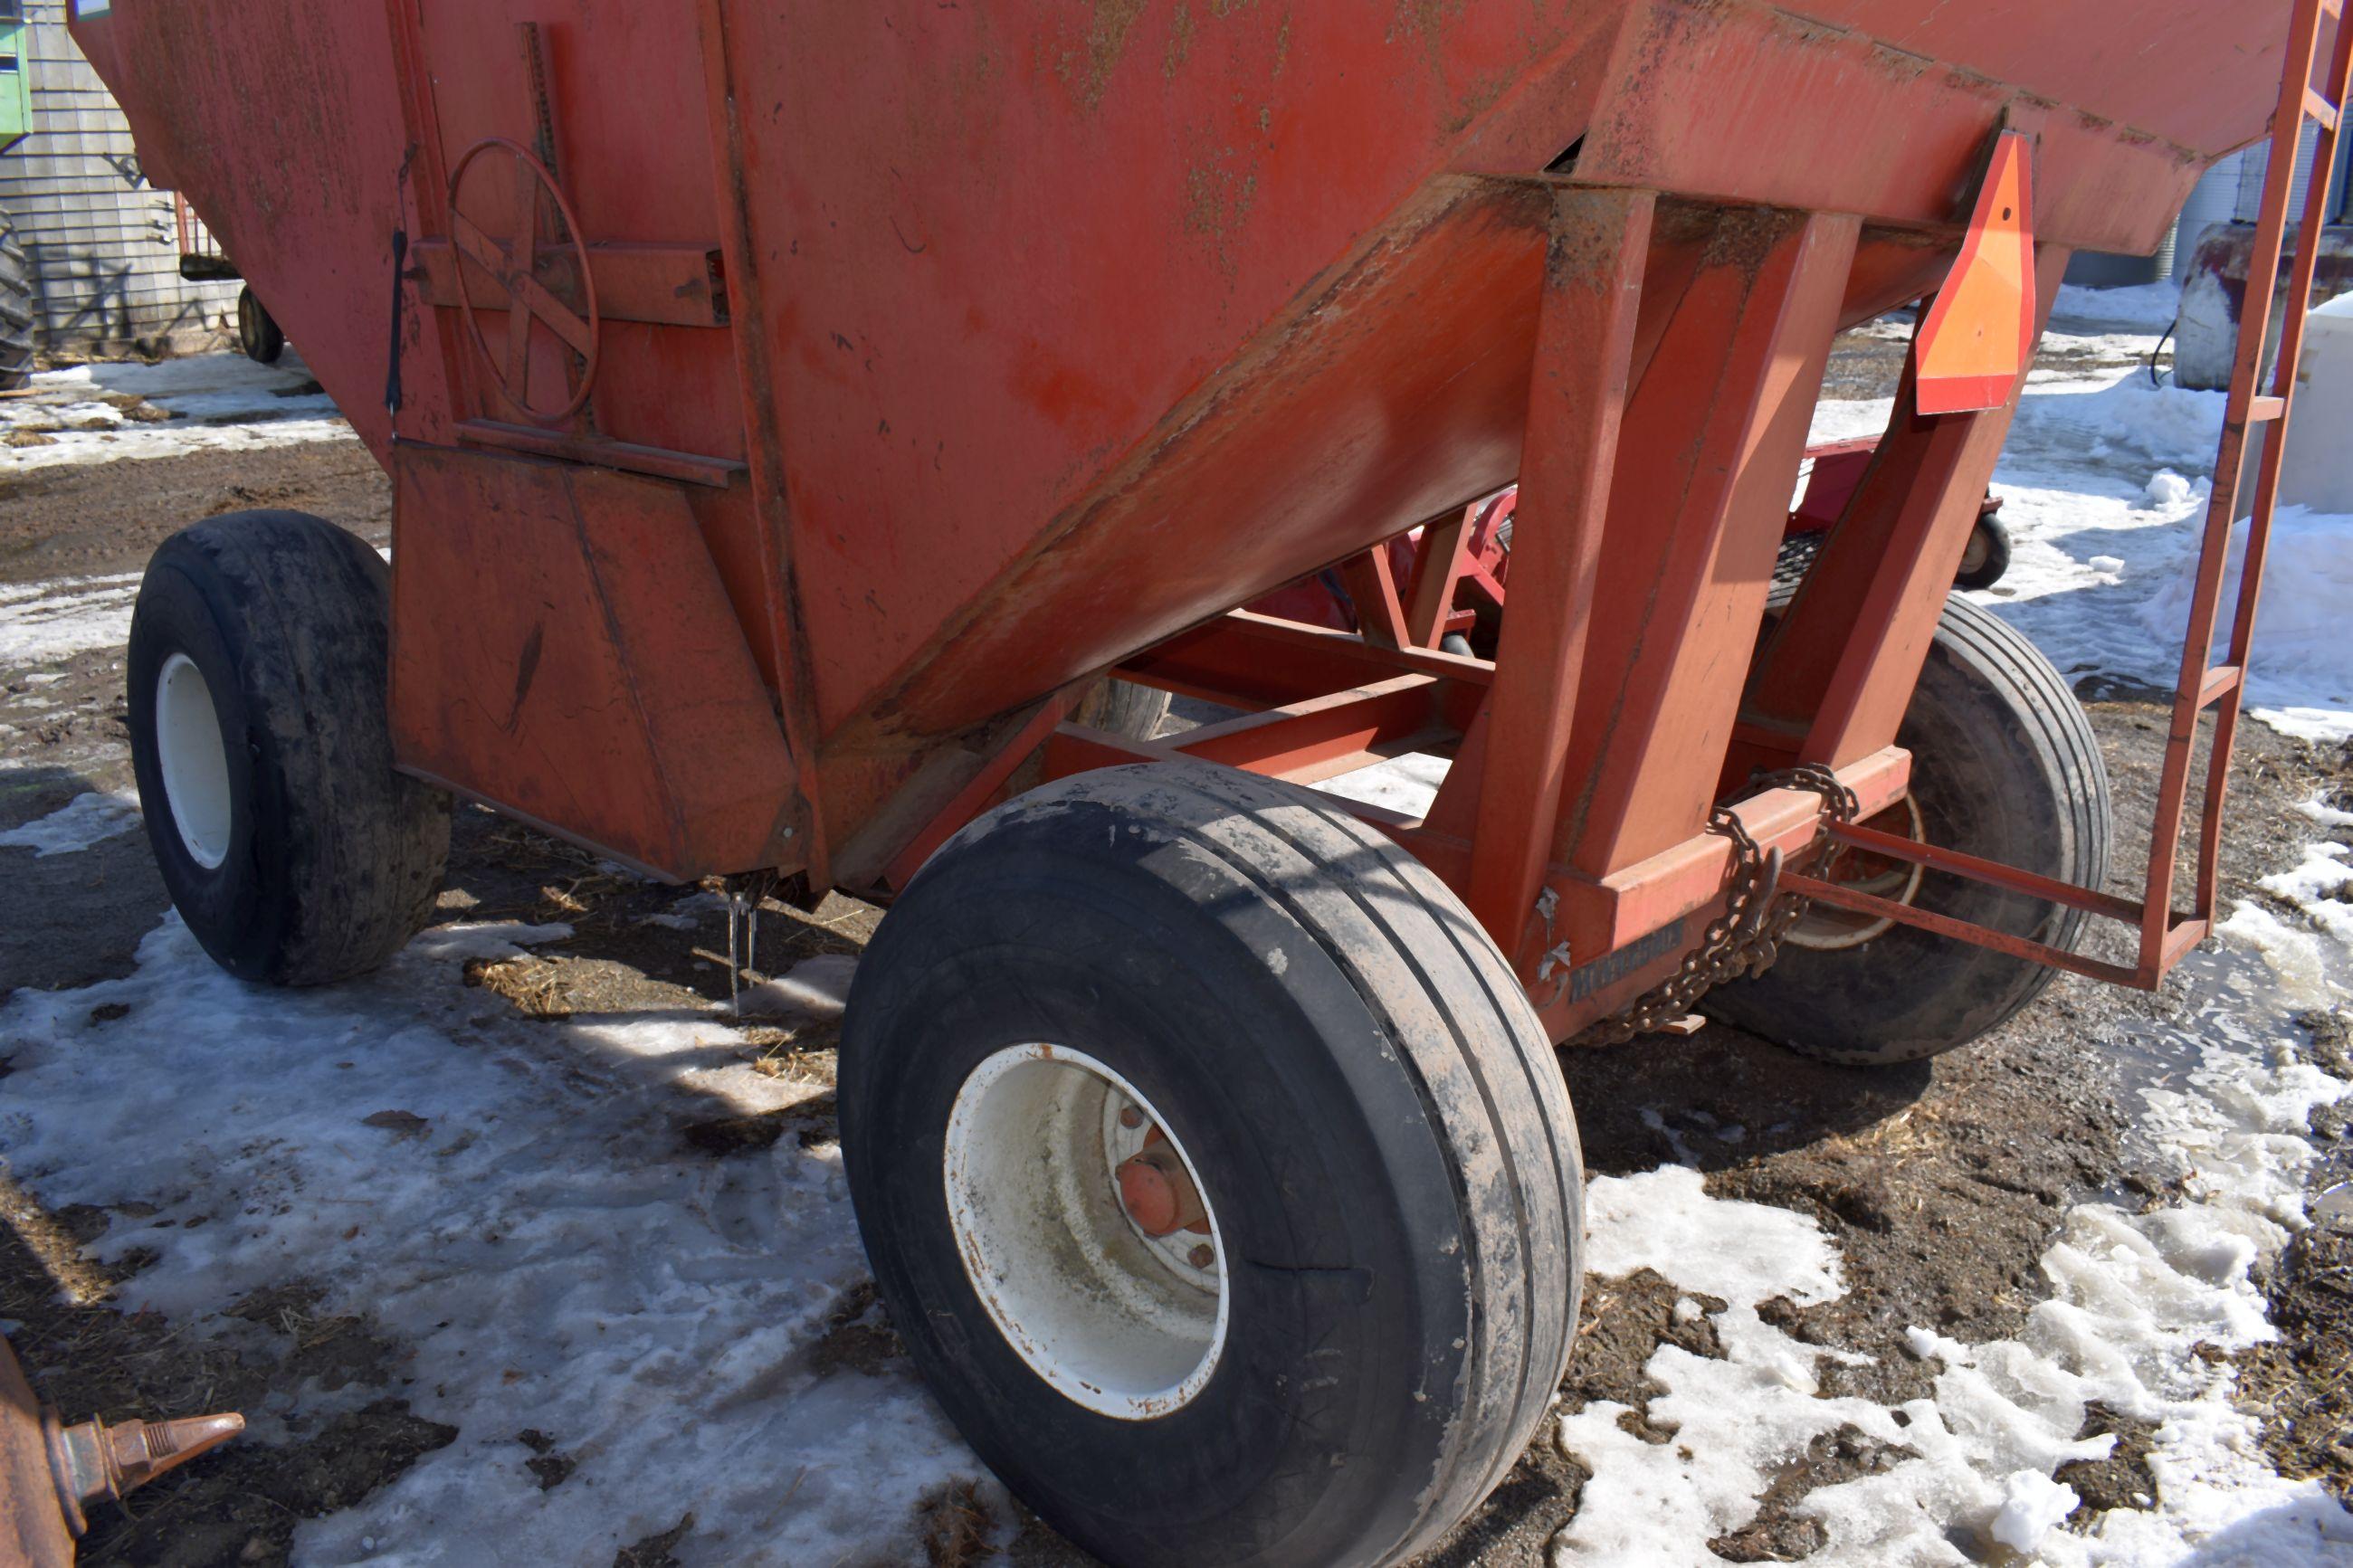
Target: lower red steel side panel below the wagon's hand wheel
<point x="566" y="652"/>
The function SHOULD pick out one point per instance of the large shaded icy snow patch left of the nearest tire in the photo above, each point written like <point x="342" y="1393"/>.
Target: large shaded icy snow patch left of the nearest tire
<point x="512" y="1200"/>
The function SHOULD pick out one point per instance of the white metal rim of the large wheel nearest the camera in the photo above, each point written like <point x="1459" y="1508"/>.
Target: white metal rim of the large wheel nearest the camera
<point x="1114" y="1320"/>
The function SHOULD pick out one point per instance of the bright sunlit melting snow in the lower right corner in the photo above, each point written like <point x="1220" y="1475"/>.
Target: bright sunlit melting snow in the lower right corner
<point x="2133" y="1304"/>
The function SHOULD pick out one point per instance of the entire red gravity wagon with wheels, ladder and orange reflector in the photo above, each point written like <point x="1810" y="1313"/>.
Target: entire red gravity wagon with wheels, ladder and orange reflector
<point x="799" y="413"/>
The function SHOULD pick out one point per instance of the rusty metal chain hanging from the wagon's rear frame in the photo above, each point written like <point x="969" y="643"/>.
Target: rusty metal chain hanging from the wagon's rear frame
<point x="1745" y="942"/>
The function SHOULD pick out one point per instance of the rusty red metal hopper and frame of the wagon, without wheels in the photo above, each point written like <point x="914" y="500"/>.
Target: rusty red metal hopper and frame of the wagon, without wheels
<point x="778" y="462"/>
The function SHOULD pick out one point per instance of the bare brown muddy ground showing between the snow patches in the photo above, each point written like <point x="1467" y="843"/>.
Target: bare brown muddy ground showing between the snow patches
<point x="1940" y="1184"/>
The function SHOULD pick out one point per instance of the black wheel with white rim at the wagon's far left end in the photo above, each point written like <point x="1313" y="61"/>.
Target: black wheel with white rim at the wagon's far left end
<point x="262" y="744"/>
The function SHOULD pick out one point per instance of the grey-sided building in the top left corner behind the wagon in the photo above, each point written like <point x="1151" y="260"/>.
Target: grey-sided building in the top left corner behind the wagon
<point x="102" y="241"/>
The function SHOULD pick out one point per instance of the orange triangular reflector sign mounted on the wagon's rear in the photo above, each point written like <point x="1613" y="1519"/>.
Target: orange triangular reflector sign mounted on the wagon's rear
<point x="1980" y="335"/>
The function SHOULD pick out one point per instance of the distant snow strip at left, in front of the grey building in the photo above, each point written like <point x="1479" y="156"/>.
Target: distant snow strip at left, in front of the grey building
<point x="128" y="410"/>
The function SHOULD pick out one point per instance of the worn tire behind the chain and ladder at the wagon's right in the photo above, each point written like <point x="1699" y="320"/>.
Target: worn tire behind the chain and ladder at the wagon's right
<point x="2006" y="768"/>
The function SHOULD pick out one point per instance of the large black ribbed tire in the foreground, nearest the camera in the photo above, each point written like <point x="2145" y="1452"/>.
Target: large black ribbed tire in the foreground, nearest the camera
<point x="1366" y="1097"/>
